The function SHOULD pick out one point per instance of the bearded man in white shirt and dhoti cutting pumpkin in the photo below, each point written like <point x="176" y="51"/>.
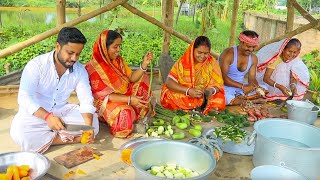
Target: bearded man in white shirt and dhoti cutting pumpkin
<point x="46" y="84"/>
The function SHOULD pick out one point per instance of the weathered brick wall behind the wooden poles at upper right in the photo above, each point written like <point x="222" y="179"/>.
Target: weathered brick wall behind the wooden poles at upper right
<point x="271" y="26"/>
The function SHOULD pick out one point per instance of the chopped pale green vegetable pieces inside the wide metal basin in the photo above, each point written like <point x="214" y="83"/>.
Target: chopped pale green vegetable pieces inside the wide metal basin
<point x="172" y="171"/>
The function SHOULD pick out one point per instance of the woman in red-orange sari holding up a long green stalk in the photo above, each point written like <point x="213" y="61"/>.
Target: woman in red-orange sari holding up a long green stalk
<point x="121" y="95"/>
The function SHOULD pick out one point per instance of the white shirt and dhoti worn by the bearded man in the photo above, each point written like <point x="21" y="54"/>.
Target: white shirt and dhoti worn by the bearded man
<point x="40" y="86"/>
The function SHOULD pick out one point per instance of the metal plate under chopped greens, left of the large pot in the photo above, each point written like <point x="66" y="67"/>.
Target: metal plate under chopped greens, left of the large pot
<point x="235" y="148"/>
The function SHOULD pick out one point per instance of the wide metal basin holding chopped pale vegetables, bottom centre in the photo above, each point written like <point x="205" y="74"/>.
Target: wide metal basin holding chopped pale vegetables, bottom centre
<point x="167" y="151"/>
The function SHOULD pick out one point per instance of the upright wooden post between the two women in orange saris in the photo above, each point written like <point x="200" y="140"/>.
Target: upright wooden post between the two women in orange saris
<point x="167" y="19"/>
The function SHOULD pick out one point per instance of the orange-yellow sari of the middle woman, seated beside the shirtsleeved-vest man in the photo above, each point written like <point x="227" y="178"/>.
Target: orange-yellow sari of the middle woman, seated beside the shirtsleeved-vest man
<point x="202" y="75"/>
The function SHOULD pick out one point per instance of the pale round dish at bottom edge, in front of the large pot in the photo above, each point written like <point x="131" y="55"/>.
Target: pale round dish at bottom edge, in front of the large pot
<point x="267" y="172"/>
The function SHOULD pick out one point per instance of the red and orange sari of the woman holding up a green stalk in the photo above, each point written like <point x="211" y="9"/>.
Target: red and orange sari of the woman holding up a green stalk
<point x="109" y="76"/>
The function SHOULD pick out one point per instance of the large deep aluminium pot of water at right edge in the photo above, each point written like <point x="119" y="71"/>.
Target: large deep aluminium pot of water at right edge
<point x="288" y="143"/>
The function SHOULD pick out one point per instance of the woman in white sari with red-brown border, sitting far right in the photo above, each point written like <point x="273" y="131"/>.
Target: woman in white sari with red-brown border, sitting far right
<point x="281" y="71"/>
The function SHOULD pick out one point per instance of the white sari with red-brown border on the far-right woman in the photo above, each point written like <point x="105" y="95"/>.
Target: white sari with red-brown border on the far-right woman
<point x="269" y="54"/>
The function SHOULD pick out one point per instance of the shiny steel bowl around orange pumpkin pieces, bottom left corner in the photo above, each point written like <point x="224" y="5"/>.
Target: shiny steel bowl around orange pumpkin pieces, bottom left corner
<point x="38" y="163"/>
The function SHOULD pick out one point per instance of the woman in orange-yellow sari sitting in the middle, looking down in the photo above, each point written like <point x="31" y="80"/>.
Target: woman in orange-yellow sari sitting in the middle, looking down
<point x="195" y="75"/>
